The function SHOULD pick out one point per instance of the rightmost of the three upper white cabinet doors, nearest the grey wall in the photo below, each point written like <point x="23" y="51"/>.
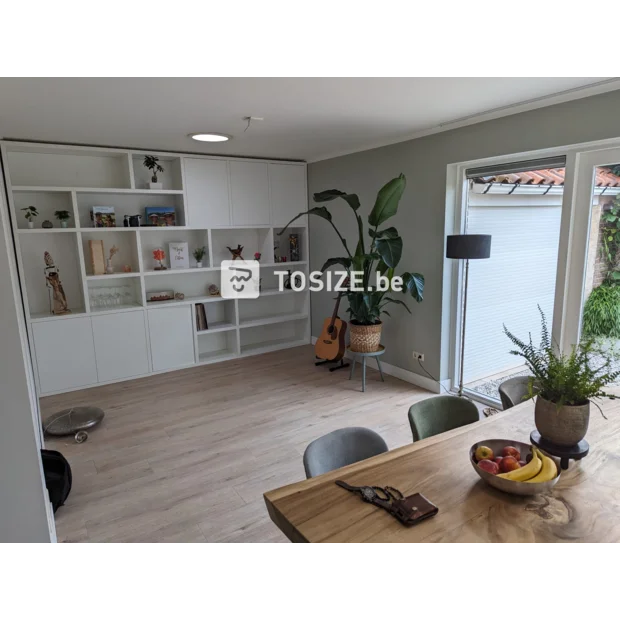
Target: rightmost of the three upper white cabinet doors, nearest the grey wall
<point x="287" y="185"/>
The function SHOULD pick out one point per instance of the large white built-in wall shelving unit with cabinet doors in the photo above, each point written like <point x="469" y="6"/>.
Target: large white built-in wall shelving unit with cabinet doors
<point x="218" y="202"/>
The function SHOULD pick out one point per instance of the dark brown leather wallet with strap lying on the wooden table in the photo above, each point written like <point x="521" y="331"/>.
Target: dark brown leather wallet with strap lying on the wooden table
<point x="408" y="510"/>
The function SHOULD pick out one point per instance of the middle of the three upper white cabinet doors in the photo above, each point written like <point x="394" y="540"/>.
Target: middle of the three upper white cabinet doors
<point x="249" y="183"/>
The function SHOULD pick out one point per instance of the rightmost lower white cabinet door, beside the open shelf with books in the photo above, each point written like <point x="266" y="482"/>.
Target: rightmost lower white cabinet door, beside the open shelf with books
<point x="172" y="337"/>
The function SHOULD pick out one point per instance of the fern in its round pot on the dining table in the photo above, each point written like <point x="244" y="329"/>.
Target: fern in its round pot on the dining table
<point x="564" y="385"/>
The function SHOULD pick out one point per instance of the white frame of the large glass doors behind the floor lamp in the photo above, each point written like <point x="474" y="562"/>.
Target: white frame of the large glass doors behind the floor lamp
<point x="572" y="250"/>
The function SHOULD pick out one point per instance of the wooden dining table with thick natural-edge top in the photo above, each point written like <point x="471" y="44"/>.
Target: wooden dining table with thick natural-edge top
<point x="583" y="507"/>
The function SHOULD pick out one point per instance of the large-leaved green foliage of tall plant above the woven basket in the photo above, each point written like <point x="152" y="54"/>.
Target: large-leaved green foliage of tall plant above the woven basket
<point x="385" y="248"/>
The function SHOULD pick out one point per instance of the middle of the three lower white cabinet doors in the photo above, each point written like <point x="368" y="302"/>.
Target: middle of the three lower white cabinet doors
<point x="120" y="345"/>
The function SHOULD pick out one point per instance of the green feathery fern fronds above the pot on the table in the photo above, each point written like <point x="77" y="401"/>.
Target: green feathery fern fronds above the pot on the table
<point x="572" y="379"/>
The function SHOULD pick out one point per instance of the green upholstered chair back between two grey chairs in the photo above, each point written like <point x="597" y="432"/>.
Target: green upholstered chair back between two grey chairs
<point x="433" y="416"/>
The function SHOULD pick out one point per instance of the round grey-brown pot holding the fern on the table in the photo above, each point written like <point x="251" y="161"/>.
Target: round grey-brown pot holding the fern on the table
<point x="564" y="426"/>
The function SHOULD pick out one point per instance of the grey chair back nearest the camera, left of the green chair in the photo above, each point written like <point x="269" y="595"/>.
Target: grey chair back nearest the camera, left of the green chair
<point x="342" y="447"/>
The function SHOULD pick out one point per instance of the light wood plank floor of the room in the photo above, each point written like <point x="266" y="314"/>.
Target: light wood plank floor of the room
<point x="185" y="457"/>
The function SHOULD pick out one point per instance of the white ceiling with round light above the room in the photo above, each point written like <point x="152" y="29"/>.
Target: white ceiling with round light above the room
<point x="308" y="116"/>
